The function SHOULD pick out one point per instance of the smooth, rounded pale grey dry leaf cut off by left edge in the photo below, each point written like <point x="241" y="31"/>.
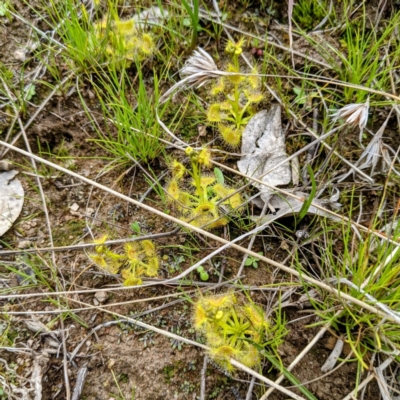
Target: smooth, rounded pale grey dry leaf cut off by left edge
<point x="11" y="199"/>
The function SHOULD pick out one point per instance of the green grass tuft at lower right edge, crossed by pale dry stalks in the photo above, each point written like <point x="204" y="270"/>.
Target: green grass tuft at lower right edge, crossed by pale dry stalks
<point x="369" y="270"/>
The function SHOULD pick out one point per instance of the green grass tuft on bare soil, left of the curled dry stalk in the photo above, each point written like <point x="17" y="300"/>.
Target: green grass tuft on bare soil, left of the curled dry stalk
<point x="137" y="131"/>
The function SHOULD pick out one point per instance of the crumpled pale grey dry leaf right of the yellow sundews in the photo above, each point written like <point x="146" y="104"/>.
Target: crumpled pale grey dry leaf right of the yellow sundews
<point x="263" y="147"/>
